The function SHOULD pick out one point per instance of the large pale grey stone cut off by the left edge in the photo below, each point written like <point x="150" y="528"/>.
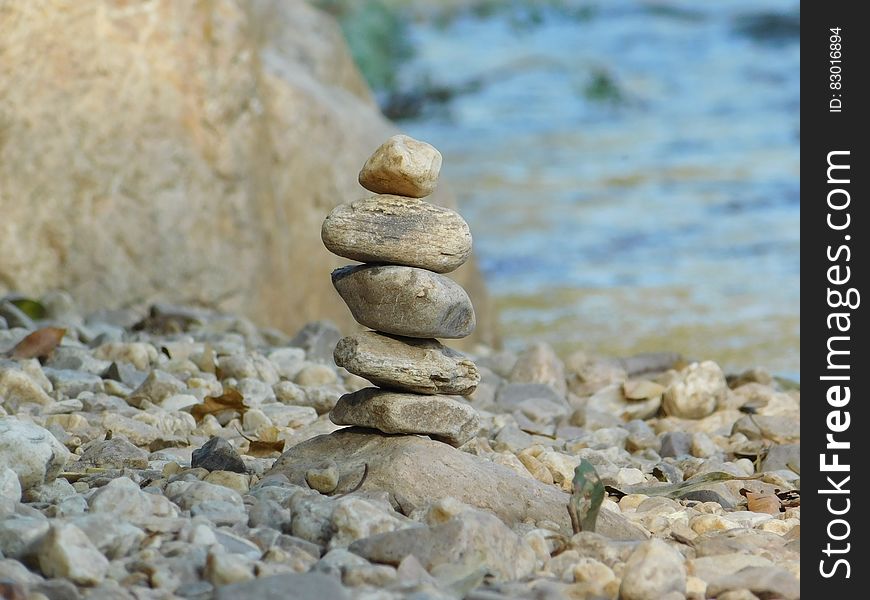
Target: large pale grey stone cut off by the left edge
<point x="31" y="451"/>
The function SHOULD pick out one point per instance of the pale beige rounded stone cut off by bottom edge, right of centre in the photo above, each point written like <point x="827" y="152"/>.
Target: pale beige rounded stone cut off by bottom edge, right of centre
<point x="653" y="571"/>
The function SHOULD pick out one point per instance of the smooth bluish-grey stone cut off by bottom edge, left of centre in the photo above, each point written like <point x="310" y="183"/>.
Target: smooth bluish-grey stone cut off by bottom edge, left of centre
<point x="290" y="586"/>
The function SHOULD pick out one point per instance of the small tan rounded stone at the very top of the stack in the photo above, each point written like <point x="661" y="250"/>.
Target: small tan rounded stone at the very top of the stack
<point x="402" y="166"/>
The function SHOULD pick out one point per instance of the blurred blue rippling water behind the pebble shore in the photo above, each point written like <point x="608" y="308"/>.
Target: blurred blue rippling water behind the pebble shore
<point x="664" y="214"/>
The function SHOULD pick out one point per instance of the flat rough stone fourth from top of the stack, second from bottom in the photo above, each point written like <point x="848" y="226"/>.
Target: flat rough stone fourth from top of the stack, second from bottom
<point x="410" y="364"/>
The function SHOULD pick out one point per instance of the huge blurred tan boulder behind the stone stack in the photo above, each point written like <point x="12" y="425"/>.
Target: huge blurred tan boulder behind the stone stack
<point x="182" y="151"/>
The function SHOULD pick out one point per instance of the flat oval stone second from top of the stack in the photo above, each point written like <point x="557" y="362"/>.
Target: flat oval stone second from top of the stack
<point x="400" y="231"/>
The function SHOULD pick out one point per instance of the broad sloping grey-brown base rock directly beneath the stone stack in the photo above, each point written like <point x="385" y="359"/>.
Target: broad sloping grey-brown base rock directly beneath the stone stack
<point x="416" y="471"/>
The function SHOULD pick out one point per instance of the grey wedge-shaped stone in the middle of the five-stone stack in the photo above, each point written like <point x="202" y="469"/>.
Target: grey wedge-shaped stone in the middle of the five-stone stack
<point x="405" y="301"/>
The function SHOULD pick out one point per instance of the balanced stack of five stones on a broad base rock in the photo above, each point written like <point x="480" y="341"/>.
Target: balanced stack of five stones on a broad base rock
<point x="405" y="244"/>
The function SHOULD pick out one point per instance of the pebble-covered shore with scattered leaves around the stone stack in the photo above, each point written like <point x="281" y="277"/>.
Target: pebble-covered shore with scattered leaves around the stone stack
<point x="179" y="452"/>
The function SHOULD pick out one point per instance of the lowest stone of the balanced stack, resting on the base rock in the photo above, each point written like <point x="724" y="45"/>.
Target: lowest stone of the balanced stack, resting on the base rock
<point x="392" y="412"/>
